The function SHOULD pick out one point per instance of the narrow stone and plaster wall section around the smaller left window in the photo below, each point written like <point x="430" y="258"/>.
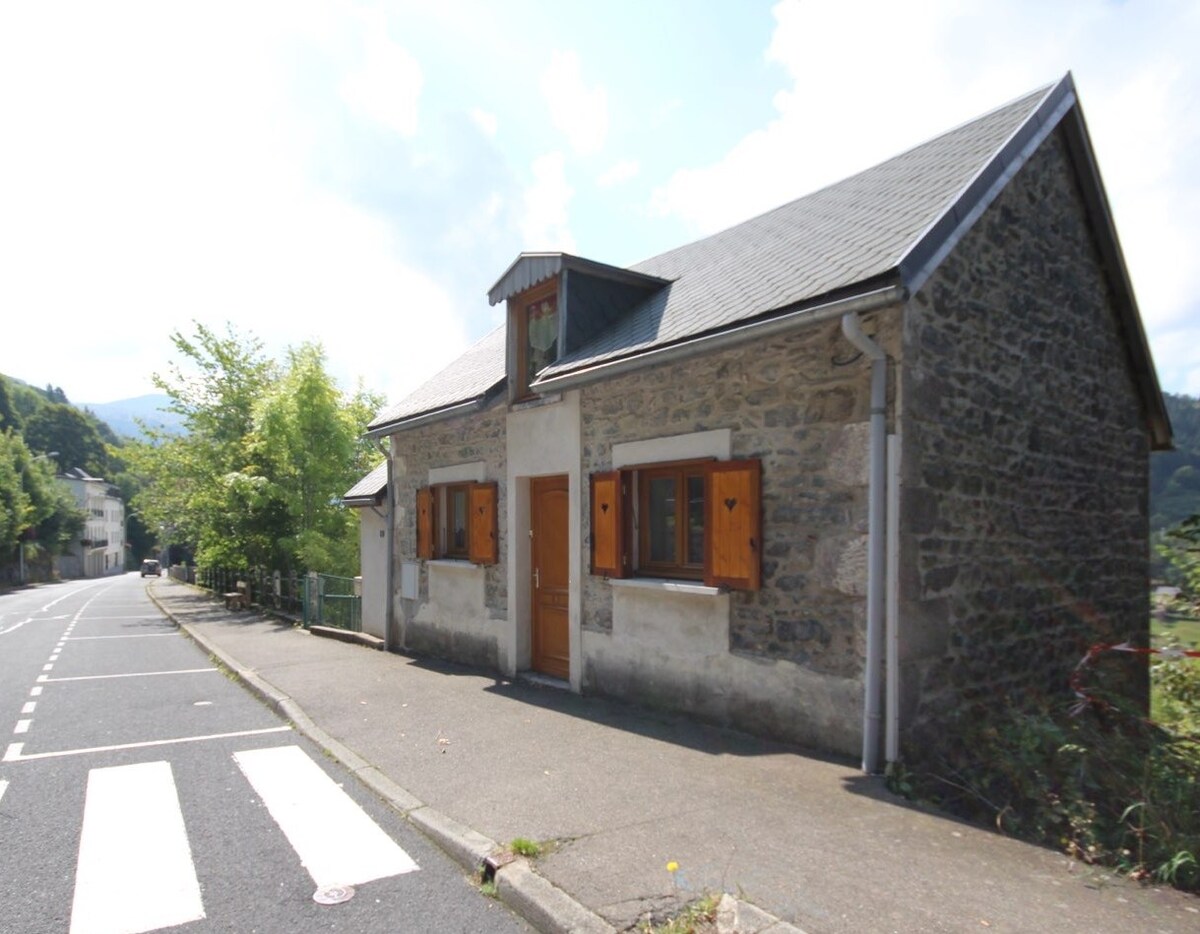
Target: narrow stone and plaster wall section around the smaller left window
<point x="467" y="627"/>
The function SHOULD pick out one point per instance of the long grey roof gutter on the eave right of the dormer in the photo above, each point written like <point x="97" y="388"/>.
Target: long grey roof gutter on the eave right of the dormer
<point x="709" y="344"/>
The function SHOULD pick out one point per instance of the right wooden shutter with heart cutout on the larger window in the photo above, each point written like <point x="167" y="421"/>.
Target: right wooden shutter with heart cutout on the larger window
<point x="734" y="534"/>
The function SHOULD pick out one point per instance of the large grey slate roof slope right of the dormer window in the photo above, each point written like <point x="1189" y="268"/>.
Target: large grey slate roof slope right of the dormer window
<point x="854" y="232"/>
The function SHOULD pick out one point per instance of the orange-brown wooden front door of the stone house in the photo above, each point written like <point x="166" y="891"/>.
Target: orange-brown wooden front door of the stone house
<point x="550" y="574"/>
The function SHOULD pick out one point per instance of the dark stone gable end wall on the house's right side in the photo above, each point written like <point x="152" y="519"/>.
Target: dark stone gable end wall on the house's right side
<point x="1025" y="459"/>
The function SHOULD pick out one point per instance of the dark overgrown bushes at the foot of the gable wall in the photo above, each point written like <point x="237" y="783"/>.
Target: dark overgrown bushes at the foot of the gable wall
<point x="1095" y="780"/>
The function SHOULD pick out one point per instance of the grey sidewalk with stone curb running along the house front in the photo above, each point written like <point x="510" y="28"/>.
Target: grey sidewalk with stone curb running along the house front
<point x="478" y="761"/>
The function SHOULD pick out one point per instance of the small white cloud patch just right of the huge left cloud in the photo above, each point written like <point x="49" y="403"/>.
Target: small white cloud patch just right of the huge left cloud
<point x="388" y="87"/>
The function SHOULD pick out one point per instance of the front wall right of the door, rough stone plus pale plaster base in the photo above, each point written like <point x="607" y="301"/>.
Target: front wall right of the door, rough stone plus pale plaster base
<point x="793" y="657"/>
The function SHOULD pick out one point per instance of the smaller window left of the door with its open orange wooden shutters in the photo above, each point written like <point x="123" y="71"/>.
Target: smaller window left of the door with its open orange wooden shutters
<point x="458" y="522"/>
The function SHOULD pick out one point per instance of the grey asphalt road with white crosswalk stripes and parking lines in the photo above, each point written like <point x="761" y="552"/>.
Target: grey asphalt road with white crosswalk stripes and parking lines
<point x="142" y="789"/>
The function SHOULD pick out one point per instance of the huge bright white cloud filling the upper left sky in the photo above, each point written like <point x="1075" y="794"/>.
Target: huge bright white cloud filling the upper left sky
<point x="148" y="189"/>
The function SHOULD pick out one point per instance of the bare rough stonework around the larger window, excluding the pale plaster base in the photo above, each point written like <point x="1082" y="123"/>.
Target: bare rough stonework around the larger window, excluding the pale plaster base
<point x="801" y="404"/>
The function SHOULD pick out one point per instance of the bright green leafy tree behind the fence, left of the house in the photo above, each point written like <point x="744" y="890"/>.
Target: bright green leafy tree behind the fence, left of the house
<point x="268" y="452"/>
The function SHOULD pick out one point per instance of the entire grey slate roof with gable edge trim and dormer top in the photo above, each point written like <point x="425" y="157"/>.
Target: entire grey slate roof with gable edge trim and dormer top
<point x="887" y="226"/>
